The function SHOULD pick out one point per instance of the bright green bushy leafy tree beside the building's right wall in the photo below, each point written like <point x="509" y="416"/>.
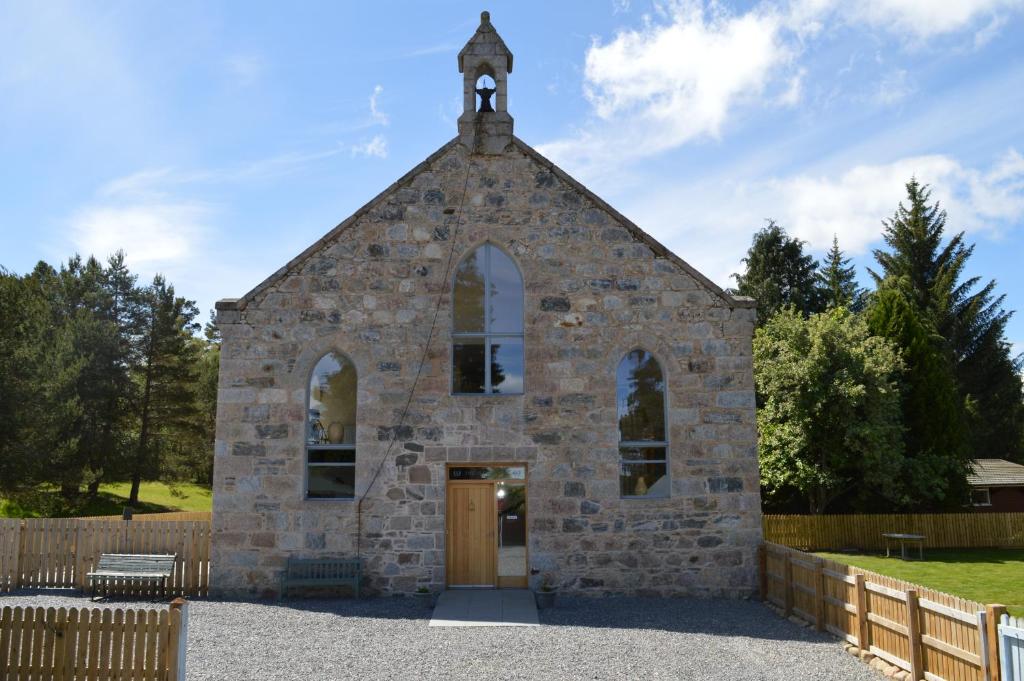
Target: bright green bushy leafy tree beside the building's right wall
<point x="830" y="421"/>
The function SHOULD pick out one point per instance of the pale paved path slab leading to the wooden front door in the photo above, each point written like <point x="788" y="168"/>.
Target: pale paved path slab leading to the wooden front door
<point x="486" y="608"/>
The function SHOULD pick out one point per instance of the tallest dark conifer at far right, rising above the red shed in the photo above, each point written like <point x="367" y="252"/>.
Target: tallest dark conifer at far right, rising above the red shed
<point x="930" y="275"/>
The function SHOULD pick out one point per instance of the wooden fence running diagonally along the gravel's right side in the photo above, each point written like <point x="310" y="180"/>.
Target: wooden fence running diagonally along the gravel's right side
<point x="933" y="635"/>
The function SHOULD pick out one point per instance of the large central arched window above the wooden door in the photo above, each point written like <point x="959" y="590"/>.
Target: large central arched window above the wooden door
<point x="487" y="333"/>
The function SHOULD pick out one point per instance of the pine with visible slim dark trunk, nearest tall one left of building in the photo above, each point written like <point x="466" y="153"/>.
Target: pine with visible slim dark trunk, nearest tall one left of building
<point x="165" y="375"/>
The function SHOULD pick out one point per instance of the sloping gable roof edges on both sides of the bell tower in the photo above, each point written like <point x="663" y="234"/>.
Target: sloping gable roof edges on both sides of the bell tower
<point x="656" y="246"/>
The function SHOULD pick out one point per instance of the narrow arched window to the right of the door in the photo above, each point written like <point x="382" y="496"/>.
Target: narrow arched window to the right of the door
<point x="644" y="444"/>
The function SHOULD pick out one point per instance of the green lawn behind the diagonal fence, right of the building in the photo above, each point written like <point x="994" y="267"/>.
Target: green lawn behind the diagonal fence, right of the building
<point x="988" y="576"/>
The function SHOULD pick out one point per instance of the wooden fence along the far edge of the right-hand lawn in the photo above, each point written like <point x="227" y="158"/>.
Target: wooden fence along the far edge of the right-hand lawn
<point x="942" y="531"/>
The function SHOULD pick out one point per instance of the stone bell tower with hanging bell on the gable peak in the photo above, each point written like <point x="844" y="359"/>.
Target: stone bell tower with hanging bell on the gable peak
<point x="486" y="126"/>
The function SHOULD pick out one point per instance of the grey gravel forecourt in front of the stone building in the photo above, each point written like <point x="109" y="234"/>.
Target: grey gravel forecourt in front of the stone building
<point x="611" y="639"/>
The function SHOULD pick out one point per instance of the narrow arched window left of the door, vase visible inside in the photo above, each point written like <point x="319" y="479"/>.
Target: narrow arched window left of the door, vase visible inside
<point x="331" y="430"/>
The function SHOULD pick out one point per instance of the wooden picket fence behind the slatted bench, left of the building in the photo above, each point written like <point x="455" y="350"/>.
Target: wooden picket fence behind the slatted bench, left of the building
<point x="60" y="552"/>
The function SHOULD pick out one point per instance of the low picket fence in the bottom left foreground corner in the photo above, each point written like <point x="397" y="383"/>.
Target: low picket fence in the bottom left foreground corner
<point x="84" y="645"/>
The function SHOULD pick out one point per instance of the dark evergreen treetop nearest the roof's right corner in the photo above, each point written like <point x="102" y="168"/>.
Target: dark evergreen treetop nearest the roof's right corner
<point x="780" y="274"/>
